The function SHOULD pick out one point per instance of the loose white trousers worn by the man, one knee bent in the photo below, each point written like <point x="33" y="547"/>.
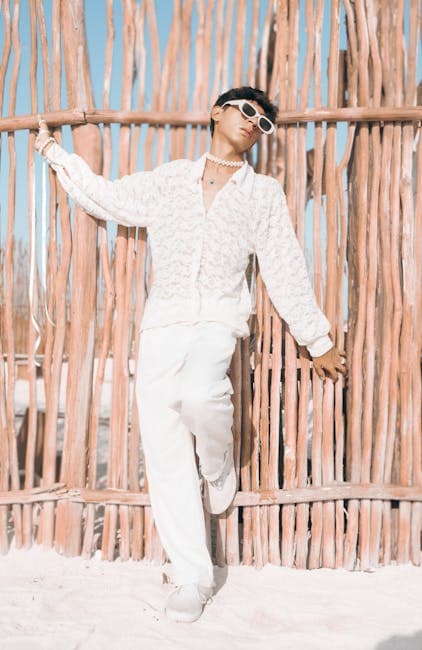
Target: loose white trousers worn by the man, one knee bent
<point x="182" y="388"/>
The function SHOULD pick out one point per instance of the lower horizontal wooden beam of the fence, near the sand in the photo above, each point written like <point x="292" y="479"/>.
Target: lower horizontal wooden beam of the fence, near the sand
<point x="333" y="492"/>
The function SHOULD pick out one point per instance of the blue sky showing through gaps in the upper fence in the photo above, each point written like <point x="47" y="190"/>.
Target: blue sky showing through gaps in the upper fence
<point x="95" y="12"/>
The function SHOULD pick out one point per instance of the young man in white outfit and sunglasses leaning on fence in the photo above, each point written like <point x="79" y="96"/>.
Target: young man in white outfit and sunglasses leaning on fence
<point x="204" y="219"/>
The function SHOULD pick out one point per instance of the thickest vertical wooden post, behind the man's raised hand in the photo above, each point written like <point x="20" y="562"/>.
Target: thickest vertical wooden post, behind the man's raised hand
<point x="87" y="142"/>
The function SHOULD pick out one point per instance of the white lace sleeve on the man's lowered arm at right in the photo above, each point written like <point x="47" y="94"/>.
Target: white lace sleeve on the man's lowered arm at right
<point x="283" y="269"/>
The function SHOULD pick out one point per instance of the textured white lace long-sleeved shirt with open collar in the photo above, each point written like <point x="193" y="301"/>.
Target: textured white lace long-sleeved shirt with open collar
<point x="200" y="258"/>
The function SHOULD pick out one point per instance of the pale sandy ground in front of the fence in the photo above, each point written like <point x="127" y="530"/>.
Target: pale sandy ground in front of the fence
<point x="56" y="603"/>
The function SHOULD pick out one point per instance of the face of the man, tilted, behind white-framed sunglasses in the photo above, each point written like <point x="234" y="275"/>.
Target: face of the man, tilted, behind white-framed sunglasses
<point x="230" y="124"/>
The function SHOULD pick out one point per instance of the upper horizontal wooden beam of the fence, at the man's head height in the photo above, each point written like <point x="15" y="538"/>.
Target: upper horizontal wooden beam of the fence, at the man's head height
<point x="75" y="117"/>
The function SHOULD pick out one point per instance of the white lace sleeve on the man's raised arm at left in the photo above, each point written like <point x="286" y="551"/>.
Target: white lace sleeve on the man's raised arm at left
<point x="126" y="201"/>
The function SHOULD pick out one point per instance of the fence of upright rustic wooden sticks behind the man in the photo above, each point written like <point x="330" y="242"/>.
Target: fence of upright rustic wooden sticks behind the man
<point x="330" y="475"/>
